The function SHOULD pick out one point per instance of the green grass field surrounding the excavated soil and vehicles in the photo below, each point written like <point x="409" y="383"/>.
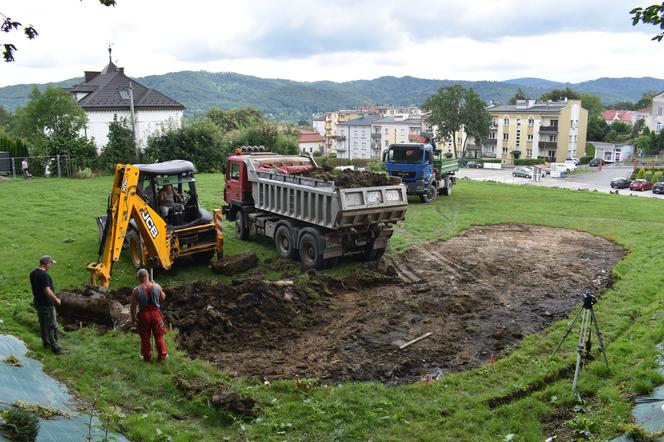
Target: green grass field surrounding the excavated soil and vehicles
<point x="57" y="217"/>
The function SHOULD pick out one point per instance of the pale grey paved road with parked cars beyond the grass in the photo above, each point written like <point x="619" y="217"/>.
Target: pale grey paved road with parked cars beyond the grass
<point x="595" y="180"/>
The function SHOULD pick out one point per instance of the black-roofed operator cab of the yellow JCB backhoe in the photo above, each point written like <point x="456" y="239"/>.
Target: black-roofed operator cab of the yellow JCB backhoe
<point x="180" y="176"/>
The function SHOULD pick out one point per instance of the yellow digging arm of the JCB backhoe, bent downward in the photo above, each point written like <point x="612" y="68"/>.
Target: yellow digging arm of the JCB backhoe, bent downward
<point x="124" y="204"/>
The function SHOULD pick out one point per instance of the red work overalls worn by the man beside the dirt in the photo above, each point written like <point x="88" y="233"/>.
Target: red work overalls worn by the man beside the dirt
<point x="150" y="321"/>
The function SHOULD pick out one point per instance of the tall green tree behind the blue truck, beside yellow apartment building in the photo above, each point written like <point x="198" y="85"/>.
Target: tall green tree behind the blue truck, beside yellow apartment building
<point x="454" y="108"/>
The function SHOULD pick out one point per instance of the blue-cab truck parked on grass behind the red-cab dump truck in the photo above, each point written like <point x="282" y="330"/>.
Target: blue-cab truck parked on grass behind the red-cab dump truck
<point x="422" y="168"/>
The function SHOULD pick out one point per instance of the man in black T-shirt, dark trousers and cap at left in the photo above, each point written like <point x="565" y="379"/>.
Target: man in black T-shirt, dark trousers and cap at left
<point x="45" y="301"/>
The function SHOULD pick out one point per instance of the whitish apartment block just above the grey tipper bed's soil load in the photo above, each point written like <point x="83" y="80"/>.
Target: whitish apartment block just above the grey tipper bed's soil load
<point x="352" y="138"/>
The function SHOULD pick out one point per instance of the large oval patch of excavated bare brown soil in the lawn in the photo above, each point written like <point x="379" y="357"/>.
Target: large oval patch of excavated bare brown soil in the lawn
<point x="477" y="294"/>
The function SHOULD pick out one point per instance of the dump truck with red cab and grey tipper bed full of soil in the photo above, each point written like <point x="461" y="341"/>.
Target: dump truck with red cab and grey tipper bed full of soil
<point x="270" y="195"/>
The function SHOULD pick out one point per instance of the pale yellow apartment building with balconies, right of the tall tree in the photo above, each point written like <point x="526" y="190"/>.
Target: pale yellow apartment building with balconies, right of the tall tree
<point x="530" y="129"/>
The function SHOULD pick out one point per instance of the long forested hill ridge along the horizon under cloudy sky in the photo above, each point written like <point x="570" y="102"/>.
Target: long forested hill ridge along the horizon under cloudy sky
<point x="292" y="100"/>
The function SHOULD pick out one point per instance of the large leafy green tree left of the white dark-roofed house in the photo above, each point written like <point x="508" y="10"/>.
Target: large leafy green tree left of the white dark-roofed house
<point x="52" y="123"/>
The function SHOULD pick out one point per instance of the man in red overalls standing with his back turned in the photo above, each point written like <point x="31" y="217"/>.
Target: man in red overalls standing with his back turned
<point x="147" y="297"/>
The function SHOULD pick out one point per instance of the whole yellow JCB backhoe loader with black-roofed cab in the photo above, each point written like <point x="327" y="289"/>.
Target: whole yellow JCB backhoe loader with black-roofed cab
<point x="155" y="232"/>
